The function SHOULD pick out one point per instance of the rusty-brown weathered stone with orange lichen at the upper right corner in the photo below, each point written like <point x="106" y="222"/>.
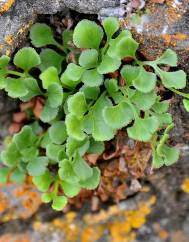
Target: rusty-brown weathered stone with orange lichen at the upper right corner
<point x="162" y="26"/>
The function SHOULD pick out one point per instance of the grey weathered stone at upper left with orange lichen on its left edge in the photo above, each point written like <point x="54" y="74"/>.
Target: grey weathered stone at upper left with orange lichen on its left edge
<point x="15" y="22"/>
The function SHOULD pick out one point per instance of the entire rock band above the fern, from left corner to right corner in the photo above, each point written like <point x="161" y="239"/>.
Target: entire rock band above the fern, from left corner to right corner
<point x="158" y="25"/>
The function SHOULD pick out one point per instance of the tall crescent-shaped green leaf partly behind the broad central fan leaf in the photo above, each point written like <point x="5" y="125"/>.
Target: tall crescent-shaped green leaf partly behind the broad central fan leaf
<point x="100" y="130"/>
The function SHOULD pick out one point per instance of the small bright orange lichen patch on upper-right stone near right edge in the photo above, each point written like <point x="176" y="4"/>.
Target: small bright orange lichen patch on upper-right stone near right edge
<point x="172" y="40"/>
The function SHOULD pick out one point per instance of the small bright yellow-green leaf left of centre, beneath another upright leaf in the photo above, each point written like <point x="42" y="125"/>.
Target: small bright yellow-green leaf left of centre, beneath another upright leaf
<point x="74" y="127"/>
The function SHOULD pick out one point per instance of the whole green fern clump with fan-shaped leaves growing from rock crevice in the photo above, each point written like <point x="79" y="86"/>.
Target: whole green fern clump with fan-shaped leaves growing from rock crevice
<point x="84" y="106"/>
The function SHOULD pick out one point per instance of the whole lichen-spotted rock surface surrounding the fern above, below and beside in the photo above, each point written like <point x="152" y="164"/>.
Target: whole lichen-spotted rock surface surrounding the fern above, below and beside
<point x="161" y="24"/>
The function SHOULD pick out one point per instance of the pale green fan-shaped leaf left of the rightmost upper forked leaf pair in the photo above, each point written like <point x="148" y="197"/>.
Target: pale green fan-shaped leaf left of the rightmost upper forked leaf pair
<point x="145" y="81"/>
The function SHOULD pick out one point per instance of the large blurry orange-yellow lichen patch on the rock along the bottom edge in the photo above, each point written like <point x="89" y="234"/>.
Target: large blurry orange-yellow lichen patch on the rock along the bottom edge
<point x="117" y="224"/>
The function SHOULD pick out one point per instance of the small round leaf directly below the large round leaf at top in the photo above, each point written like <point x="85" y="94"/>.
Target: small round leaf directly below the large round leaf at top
<point x="88" y="58"/>
